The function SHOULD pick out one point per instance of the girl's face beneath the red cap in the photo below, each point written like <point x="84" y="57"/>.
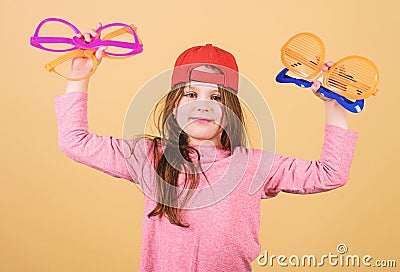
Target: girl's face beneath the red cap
<point x="200" y="113"/>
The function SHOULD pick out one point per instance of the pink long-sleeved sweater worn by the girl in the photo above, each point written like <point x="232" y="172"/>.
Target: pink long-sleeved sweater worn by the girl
<point x="224" y="222"/>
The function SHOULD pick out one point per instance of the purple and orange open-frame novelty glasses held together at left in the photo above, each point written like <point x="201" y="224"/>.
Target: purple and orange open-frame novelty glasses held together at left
<point x="121" y="41"/>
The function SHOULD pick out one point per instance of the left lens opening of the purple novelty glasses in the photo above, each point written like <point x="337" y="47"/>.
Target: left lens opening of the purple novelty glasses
<point x="55" y="30"/>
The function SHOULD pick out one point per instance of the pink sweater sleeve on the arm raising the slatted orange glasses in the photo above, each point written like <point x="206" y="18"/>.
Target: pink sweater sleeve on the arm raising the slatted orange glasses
<point x="331" y="171"/>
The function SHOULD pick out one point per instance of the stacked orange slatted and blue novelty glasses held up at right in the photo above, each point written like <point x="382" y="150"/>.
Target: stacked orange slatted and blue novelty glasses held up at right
<point x="350" y="78"/>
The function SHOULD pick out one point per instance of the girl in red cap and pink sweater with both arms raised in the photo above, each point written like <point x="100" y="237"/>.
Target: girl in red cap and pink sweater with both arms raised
<point x="202" y="185"/>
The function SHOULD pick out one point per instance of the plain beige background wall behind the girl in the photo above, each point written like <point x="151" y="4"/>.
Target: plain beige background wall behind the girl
<point x="58" y="215"/>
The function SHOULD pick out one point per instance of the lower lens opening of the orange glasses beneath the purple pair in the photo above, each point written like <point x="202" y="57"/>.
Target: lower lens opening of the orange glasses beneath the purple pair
<point x="83" y="67"/>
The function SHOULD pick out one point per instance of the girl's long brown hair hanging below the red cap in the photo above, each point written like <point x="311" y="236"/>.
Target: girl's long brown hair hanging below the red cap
<point x="167" y="165"/>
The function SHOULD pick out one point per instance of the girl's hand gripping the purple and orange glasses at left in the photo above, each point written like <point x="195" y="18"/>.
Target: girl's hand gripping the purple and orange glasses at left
<point x="83" y="66"/>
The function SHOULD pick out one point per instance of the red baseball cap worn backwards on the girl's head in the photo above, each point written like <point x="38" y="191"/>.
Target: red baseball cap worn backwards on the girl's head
<point x="206" y="55"/>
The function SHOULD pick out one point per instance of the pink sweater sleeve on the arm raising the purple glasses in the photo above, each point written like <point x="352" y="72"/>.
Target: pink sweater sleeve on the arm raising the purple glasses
<point x="104" y="153"/>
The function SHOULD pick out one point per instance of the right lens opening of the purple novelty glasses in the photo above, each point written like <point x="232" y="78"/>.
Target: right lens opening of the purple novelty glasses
<point x="122" y="41"/>
